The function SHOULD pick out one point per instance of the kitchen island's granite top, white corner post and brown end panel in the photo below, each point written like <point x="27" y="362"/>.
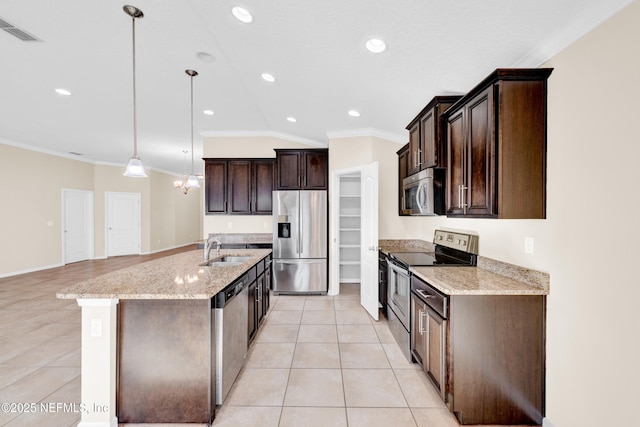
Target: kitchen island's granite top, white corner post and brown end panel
<point x="148" y="338"/>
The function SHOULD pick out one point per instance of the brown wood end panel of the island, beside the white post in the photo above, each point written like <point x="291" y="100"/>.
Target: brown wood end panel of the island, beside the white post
<point x="166" y="361"/>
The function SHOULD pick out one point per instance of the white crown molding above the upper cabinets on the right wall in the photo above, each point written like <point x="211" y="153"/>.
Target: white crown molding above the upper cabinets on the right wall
<point x="557" y="42"/>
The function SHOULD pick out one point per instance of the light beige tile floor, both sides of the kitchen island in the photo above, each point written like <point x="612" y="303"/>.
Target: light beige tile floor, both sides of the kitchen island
<point x="317" y="360"/>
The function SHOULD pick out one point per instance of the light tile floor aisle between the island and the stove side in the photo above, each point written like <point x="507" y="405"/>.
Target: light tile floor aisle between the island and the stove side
<point x="323" y="361"/>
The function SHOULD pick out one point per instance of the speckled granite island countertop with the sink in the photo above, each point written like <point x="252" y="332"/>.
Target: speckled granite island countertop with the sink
<point x="173" y="277"/>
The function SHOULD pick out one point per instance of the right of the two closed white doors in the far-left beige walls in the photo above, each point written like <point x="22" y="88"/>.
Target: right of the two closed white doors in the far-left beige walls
<point x="123" y="224"/>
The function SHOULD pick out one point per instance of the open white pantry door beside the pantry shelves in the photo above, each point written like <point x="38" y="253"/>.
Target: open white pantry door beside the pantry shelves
<point x="369" y="240"/>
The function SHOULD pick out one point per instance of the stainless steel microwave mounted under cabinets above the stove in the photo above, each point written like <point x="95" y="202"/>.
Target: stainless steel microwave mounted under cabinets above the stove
<point x="423" y="193"/>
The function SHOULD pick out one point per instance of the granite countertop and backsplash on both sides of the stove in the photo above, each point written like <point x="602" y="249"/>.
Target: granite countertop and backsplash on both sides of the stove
<point x="490" y="277"/>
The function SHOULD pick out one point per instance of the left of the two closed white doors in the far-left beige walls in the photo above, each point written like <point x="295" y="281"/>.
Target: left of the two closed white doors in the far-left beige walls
<point x="78" y="225"/>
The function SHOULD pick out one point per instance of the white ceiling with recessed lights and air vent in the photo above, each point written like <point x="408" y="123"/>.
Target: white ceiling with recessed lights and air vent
<point x="315" y="49"/>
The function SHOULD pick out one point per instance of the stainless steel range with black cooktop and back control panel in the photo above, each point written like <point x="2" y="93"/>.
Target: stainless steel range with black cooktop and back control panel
<point x="451" y="249"/>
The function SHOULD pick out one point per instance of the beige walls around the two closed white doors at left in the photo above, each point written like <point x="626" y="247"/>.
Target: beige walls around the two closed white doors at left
<point x="32" y="200"/>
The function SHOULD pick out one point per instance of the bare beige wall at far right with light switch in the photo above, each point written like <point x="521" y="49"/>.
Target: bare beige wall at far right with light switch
<point x="593" y="182"/>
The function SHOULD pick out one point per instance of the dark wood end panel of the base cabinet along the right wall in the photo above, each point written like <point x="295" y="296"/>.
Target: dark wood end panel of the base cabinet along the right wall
<point x="497" y="358"/>
